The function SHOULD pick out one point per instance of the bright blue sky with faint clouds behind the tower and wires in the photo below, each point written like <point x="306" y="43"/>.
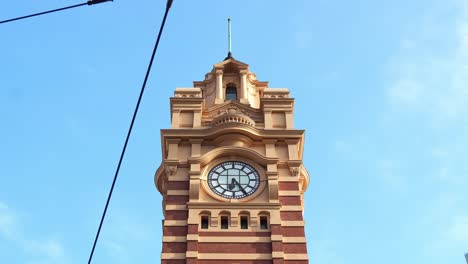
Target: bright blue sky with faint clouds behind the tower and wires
<point x="381" y="89"/>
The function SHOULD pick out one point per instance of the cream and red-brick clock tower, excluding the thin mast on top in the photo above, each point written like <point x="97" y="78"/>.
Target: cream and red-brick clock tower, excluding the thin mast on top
<point x="232" y="177"/>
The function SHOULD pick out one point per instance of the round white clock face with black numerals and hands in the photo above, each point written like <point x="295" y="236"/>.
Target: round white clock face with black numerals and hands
<point x="233" y="180"/>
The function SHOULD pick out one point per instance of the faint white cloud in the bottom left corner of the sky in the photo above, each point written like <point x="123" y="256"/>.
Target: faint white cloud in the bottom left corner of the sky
<point x="47" y="251"/>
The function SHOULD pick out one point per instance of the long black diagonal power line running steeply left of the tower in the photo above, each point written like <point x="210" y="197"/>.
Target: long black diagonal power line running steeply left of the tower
<point x="168" y="6"/>
